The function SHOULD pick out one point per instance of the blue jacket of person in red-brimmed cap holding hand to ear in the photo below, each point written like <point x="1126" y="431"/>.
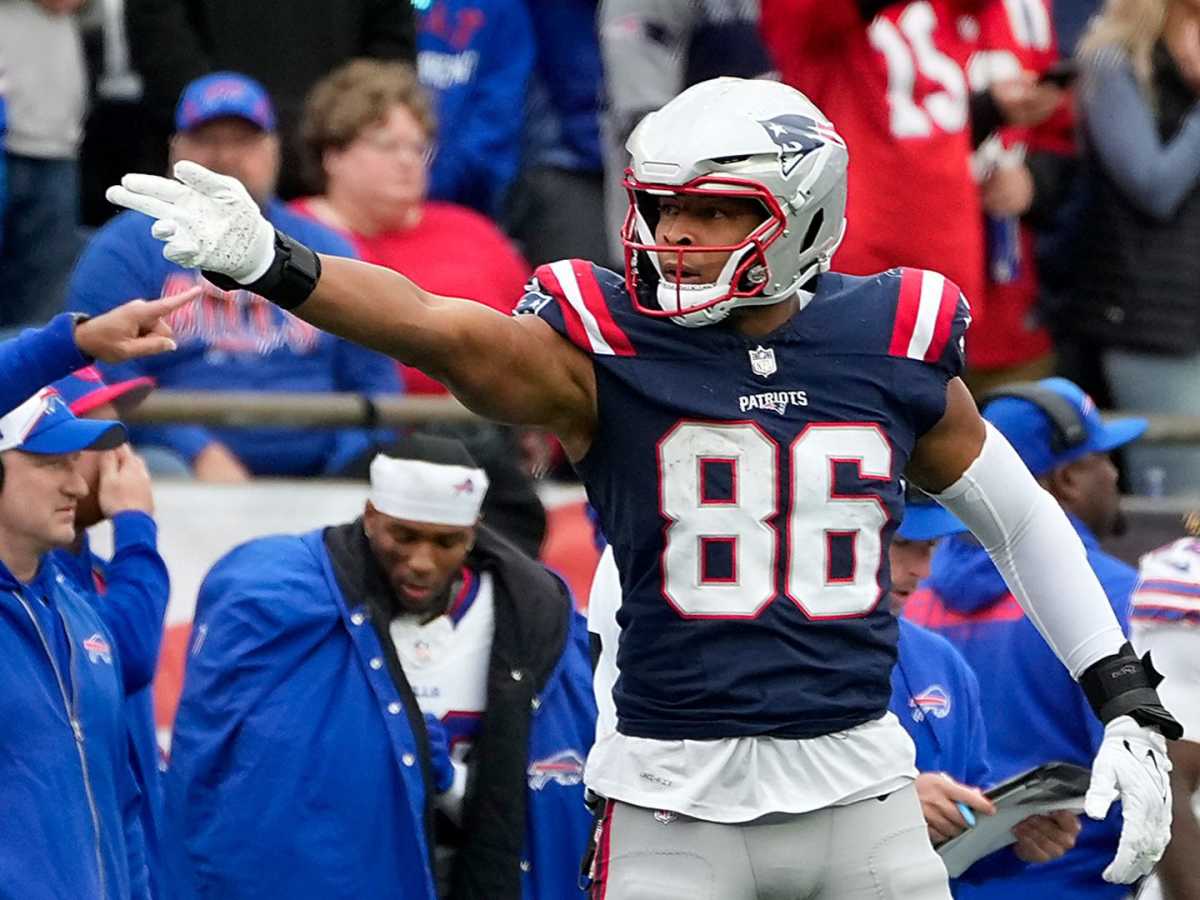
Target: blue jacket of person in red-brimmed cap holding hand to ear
<point x="130" y="593"/>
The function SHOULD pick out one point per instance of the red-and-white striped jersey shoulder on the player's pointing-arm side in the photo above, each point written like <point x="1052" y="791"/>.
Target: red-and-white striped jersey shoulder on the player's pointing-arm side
<point x="587" y="319"/>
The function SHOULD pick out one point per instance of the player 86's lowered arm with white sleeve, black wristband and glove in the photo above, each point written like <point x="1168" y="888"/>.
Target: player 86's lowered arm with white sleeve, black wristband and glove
<point x="973" y="471"/>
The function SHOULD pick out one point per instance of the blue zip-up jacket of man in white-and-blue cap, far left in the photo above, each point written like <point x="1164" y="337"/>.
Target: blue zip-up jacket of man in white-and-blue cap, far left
<point x="70" y="825"/>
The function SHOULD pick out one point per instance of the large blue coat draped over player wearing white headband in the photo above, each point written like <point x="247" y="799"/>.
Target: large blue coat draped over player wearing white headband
<point x="295" y="769"/>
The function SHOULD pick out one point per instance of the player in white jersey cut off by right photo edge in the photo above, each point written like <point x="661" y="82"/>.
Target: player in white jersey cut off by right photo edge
<point x="1167" y="622"/>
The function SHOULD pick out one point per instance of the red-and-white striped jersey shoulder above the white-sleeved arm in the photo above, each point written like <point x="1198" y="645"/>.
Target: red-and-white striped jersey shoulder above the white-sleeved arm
<point x="927" y="308"/>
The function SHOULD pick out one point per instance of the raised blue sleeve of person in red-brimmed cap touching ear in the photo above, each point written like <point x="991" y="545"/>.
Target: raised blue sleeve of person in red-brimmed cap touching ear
<point x="136" y="601"/>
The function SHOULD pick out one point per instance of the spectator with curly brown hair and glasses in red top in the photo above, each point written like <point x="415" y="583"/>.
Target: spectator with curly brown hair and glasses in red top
<point x="369" y="133"/>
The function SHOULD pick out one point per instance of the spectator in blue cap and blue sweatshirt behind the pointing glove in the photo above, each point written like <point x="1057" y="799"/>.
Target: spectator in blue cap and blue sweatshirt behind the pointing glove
<point x="232" y="340"/>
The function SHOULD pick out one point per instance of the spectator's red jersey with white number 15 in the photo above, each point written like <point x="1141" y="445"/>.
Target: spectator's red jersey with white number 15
<point x="897" y="91"/>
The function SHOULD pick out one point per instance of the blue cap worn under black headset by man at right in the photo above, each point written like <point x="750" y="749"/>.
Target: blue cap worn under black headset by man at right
<point x="1037" y="440"/>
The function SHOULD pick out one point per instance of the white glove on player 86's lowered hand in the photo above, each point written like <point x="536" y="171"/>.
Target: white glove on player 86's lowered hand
<point x="1132" y="765"/>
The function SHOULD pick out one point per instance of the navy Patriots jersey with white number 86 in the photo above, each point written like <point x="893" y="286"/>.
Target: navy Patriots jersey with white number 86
<point x="751" y="489"/>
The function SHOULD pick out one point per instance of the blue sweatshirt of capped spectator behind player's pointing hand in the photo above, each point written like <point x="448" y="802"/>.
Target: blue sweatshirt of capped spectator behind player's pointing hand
<point x="248" y="346"/>
